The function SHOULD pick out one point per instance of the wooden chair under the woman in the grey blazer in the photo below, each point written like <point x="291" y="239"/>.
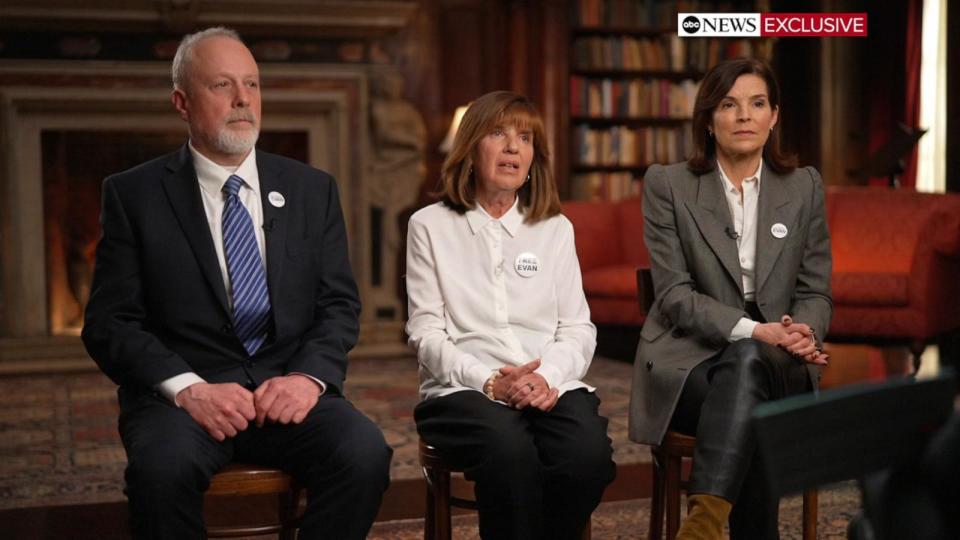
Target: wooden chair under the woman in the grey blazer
<point x="669" y="455"/>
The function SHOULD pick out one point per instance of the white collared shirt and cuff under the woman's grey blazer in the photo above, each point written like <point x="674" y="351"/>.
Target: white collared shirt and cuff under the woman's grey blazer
<point x="743" y="210"/>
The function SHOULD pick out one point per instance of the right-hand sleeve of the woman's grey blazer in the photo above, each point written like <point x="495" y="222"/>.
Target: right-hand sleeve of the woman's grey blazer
<point x="812" y="301"/>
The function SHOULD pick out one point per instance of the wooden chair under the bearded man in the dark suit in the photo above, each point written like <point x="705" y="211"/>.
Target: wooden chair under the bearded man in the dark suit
<point x="241" y="479"/>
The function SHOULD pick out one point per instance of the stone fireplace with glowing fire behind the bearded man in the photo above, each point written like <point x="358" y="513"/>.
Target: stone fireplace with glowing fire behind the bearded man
<point x="65" y="126"/>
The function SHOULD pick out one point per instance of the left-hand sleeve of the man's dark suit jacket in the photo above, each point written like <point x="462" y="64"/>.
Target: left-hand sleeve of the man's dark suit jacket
<point x="115" y="330"/>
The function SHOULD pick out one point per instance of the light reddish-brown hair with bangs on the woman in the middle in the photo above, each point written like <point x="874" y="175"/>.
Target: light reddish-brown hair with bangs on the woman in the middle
<point x="538" y="195"/>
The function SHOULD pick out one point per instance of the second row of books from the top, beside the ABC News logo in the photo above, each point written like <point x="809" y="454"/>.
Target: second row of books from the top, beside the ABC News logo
<point x="665" y="53"/>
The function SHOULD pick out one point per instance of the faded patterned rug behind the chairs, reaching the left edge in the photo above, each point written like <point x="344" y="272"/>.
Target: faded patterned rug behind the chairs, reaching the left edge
<point x="59" y="443"/>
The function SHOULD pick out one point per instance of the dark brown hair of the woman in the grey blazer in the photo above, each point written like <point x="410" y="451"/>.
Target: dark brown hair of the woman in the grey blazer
<point x="714" y="87"/>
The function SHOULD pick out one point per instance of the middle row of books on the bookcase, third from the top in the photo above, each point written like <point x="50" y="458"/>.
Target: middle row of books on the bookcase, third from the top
<point x="609" y="98"/>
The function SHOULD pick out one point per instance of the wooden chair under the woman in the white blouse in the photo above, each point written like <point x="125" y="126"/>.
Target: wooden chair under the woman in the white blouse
<point x="437" y="471"/>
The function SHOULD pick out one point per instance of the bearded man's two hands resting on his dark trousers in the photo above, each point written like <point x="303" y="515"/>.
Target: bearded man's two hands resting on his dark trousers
<point x="226" y="409"/>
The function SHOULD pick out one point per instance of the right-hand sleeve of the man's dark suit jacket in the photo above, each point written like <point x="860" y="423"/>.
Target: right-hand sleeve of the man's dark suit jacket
<point x="336" y="325"/>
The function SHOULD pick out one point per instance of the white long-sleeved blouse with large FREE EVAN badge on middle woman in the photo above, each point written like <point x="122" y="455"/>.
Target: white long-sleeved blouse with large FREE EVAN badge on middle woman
<point x="477" y="304"/>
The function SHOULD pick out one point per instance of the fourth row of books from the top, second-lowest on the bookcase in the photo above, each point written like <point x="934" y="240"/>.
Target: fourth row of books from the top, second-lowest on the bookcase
<point x="631" y="147"/>
